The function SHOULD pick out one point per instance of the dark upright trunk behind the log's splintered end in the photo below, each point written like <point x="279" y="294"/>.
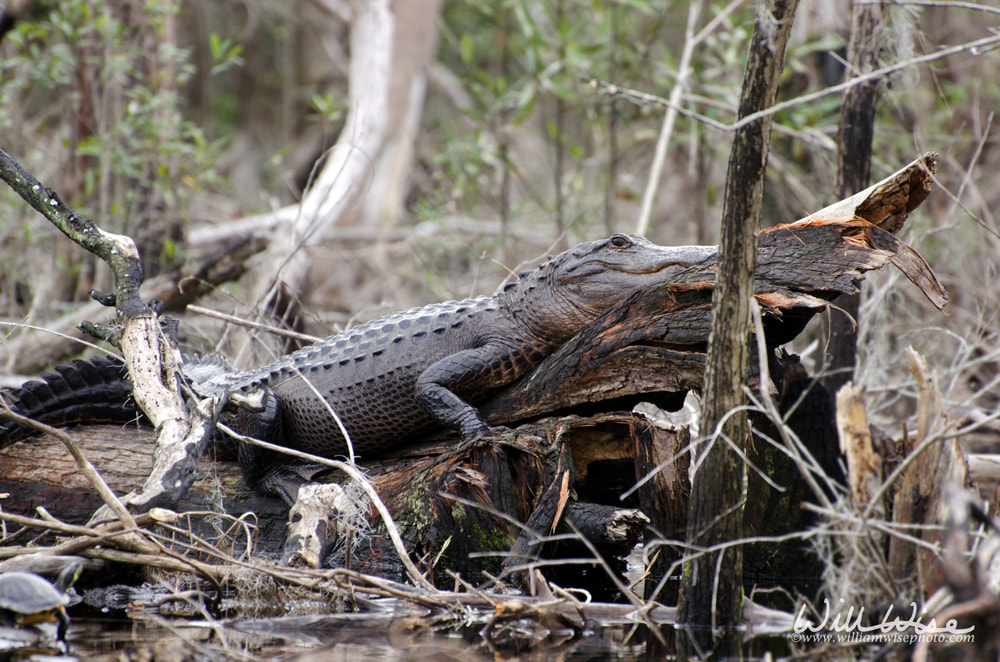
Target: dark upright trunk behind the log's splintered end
<point x="854" y="156"/>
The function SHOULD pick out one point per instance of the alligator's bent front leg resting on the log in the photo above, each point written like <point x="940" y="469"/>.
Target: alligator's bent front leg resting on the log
<point x="469" y="371"/>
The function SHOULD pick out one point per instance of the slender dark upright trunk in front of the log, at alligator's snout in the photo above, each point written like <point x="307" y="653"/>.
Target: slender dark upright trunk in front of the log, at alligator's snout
<point x="711" y="594"/>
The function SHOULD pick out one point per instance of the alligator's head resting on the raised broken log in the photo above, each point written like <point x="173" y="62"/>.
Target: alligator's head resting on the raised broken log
<point x="573" y="288"/>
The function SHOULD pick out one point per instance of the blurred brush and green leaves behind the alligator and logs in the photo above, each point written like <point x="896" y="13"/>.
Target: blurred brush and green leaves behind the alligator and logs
<point x="158" y="116"/>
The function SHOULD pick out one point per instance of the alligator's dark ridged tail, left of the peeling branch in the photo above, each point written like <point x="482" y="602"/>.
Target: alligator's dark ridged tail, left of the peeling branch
<point x="94" y="391"/>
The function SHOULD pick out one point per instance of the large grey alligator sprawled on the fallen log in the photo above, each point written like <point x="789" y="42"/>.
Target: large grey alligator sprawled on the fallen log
<point x="396" y="376"/>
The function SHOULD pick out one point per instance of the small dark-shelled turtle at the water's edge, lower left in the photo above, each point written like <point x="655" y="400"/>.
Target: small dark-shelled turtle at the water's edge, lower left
<point x="27" y="599"/>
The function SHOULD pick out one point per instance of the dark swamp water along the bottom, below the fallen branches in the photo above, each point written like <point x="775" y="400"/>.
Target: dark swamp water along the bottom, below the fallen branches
<point x="388" y="629"/>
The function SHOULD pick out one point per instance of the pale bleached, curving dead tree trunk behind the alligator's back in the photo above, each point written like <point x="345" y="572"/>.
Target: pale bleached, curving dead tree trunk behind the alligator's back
<point x="363" y="177"/>
